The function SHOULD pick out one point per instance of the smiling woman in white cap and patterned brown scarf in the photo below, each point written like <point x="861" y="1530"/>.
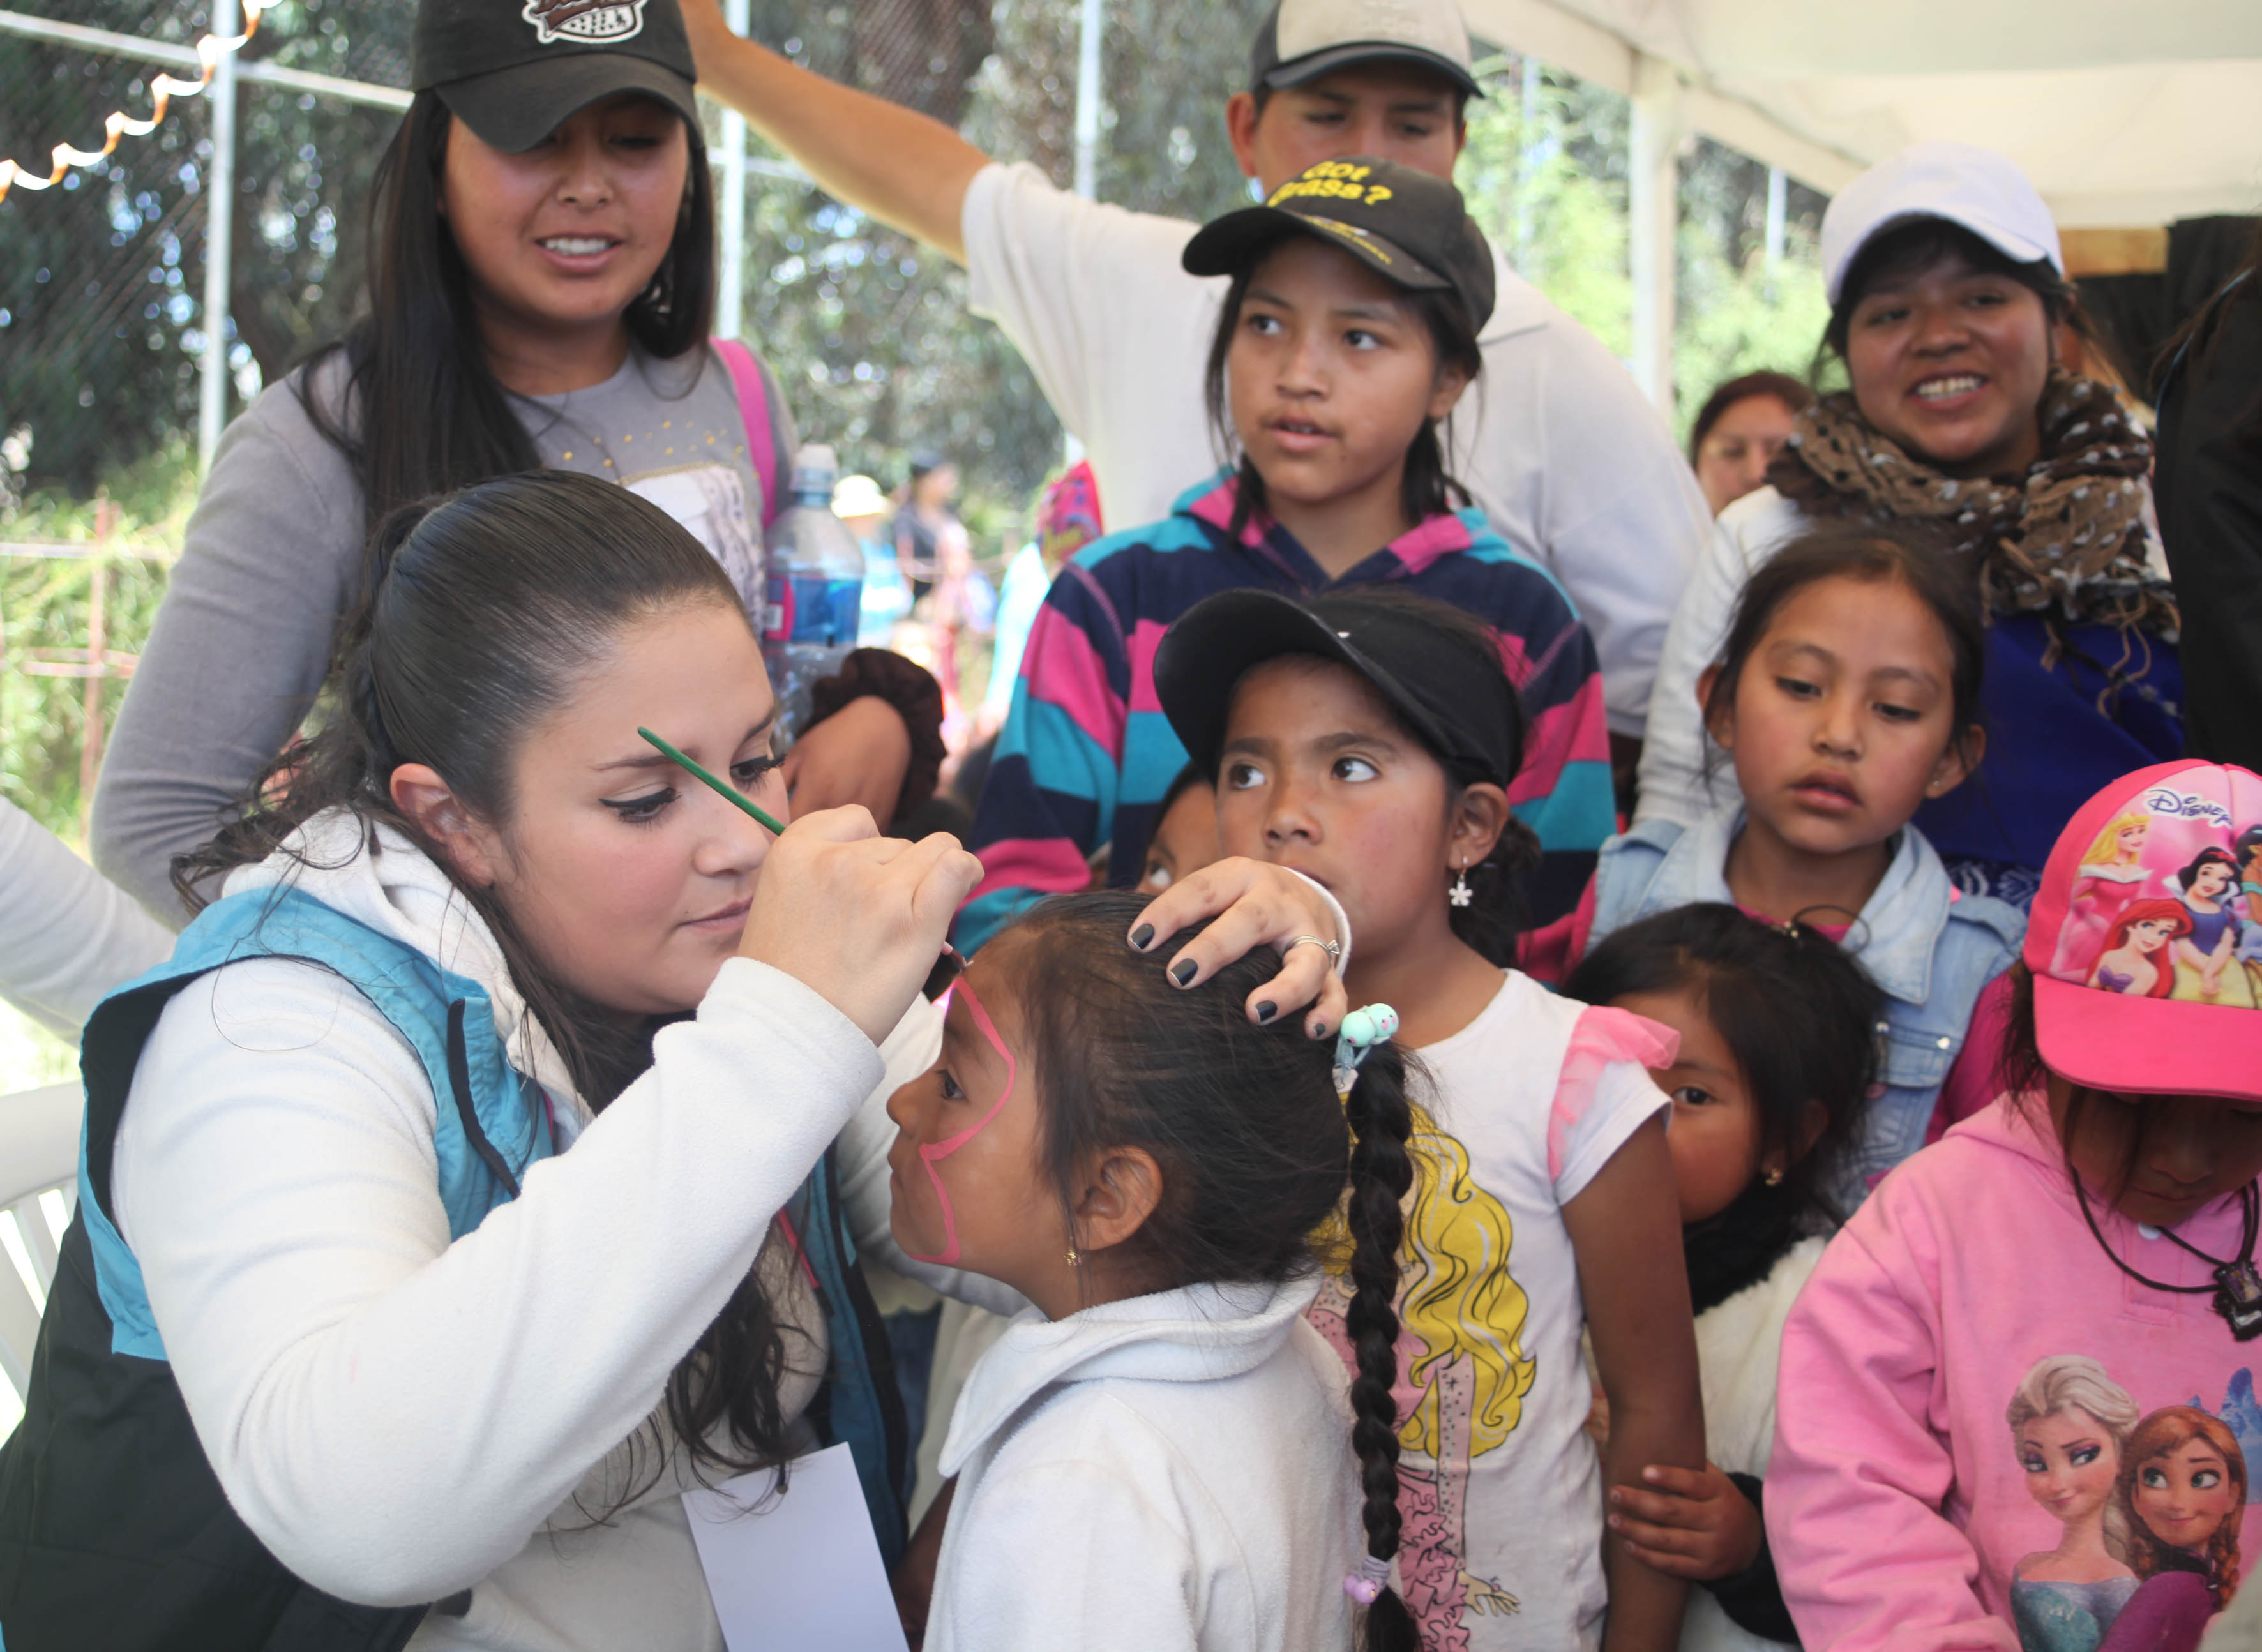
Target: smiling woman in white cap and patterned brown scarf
<point x="1946" y="295"/>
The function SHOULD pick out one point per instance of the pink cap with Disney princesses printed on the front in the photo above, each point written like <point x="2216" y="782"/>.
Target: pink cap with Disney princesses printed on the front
<point x="2148" y="933"/>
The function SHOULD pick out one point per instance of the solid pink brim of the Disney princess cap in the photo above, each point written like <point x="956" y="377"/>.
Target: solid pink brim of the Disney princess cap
<point x="2148" y="1047"/>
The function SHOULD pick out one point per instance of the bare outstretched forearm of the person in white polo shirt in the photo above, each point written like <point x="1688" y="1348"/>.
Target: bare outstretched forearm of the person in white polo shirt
<point x="904" y="169"/>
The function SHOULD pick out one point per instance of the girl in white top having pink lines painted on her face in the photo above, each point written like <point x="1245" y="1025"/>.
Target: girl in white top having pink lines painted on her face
<point x="1155" y="1454"/>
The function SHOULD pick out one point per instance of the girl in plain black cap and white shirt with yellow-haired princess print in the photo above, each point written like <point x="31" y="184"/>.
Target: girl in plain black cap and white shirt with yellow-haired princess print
<point x="1370" y="741"/>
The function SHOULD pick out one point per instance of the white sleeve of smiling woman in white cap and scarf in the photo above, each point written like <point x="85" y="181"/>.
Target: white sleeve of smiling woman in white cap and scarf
<point x="1675" y="752"/>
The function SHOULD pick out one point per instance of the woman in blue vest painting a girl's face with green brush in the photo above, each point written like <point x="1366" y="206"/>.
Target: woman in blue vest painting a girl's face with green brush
<point x="492" y="1160"/>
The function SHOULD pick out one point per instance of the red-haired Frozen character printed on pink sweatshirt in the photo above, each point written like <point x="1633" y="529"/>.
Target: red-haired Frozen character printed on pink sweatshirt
<point x="2179" y="1502"/>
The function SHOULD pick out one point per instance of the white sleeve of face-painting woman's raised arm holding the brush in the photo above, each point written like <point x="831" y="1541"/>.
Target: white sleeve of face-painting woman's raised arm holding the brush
<point x="395" y="1413"/>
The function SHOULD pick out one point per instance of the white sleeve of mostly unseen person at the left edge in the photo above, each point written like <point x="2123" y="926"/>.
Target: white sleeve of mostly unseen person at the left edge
<point x="69" y="936"/>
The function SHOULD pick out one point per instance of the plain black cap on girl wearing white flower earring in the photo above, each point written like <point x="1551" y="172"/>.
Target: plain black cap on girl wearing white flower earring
<point x="1460" y="703"/>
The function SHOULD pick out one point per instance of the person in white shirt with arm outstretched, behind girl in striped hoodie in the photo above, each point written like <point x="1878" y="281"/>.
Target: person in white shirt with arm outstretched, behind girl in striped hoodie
<point x="1562" y="454"/>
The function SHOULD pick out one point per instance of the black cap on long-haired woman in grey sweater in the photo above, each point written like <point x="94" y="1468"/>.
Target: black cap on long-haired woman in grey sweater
<point x="515" y="71"/>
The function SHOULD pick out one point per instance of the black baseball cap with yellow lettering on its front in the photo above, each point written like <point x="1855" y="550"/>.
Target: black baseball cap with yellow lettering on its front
<point x="1401" y="223"/>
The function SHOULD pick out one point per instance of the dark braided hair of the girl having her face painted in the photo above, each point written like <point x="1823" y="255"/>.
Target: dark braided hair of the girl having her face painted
<point x="1254" y="1144"/>
